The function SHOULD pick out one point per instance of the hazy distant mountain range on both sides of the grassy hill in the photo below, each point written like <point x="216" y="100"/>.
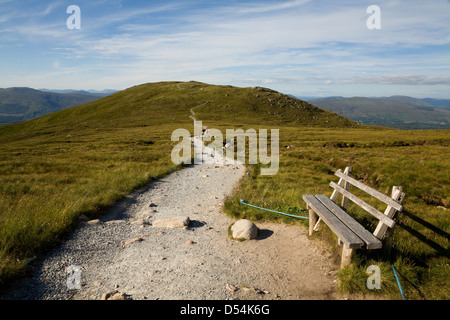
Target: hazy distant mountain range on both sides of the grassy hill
<point x="402" y="112"/>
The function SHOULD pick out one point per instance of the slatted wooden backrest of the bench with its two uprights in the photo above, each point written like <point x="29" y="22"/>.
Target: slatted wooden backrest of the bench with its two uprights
<point x="393" y="203"/>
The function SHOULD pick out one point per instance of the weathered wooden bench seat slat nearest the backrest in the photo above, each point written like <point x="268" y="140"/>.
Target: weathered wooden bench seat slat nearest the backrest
<point x="371" y="241"/>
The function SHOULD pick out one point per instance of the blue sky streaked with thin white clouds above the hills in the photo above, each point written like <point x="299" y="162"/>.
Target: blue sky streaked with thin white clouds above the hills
<point x="307" y="48"/>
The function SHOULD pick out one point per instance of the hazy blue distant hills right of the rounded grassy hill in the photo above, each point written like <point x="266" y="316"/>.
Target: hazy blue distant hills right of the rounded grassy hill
<point x="400" y="112"/>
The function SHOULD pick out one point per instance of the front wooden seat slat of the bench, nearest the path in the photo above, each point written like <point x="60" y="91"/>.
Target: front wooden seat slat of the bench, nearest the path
<point x="350" y="239"/>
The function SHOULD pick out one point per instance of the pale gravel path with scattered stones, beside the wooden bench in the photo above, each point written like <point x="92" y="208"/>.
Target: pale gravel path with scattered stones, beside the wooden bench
<point x="195" y="262"/>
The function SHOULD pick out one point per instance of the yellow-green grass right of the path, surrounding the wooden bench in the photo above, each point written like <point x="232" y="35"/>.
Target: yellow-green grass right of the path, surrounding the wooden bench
<point x="420" y="242"/>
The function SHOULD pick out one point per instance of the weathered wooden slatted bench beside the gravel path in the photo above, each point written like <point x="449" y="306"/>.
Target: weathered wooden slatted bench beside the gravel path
<point x="349" y="232"/>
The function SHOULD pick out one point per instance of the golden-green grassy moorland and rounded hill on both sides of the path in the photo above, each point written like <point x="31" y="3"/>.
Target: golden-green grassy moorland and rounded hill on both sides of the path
<point x="83" y="159"/>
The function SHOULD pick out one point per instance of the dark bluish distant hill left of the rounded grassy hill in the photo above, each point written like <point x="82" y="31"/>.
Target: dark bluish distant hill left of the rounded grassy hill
<point x="21" y="104"/>
